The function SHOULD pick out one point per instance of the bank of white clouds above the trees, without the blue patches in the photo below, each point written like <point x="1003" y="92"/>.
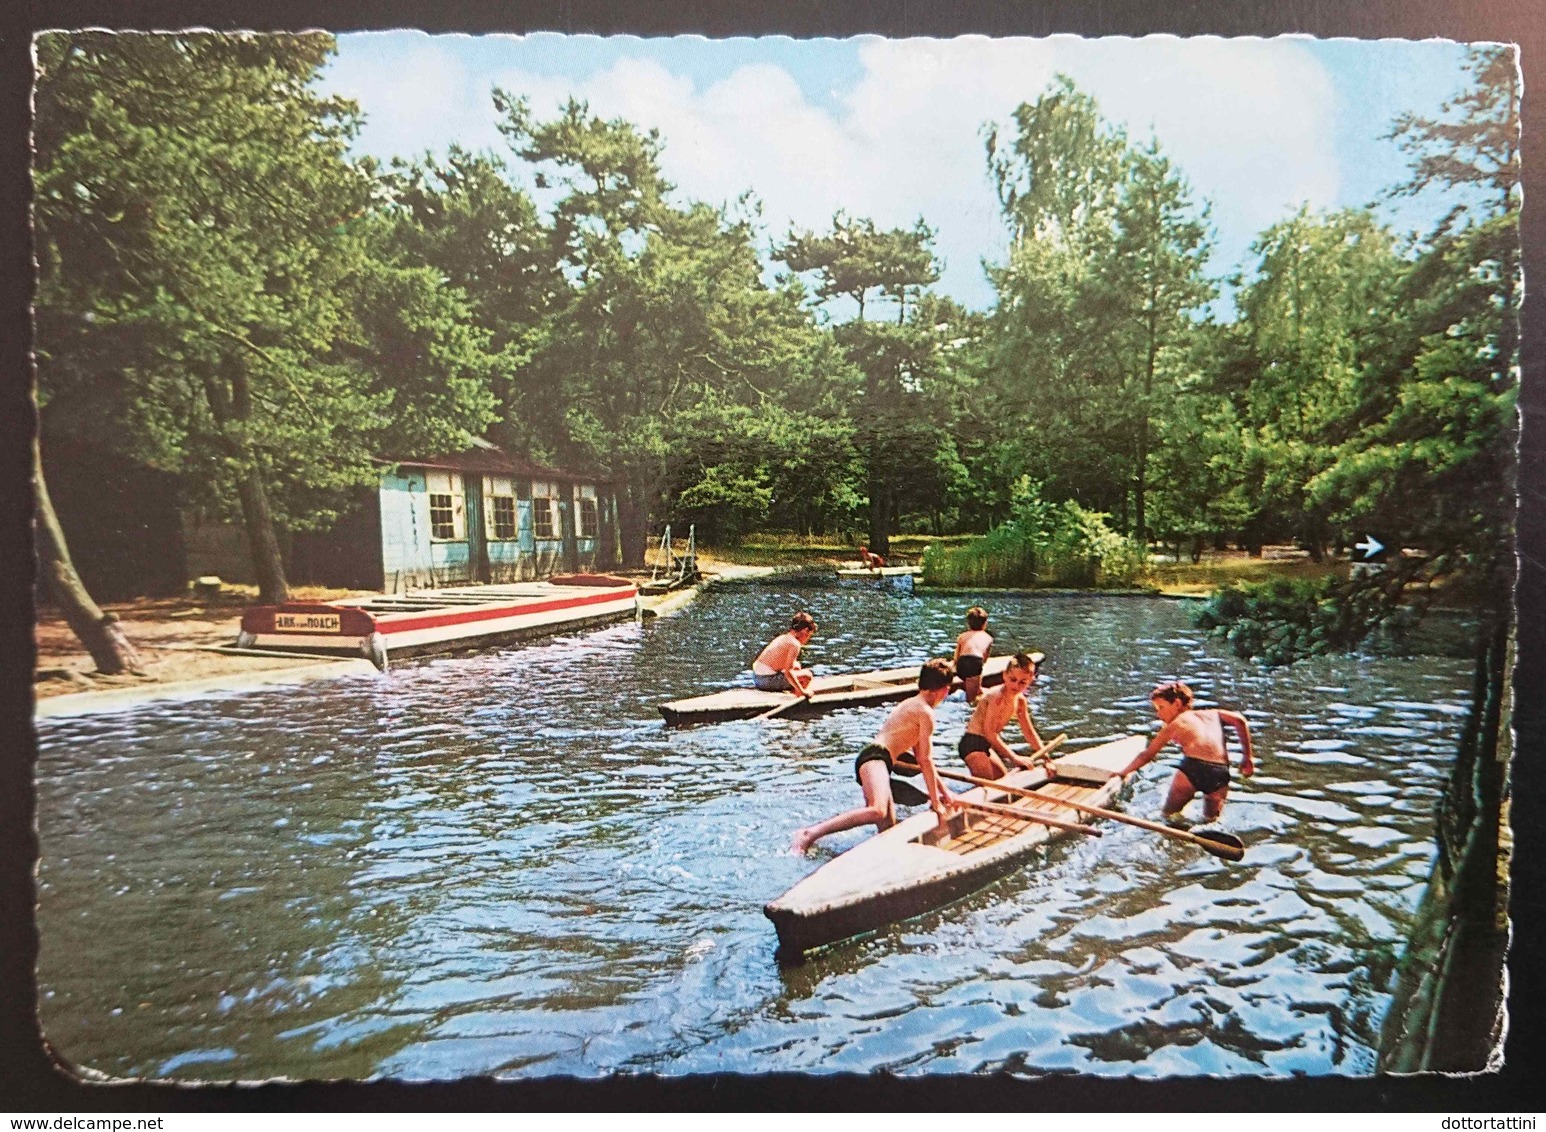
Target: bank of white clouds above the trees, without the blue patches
<point x="1251" y="123"/>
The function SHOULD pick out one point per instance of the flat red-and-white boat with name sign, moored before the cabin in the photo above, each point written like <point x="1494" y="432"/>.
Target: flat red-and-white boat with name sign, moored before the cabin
<point x="440" y="621"/>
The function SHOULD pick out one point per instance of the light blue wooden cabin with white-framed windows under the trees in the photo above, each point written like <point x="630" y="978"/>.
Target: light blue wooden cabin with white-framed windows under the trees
<point x="471" y="517"/>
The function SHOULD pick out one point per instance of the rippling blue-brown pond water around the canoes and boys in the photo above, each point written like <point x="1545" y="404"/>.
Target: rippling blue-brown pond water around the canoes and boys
<point x="508" y="865"/>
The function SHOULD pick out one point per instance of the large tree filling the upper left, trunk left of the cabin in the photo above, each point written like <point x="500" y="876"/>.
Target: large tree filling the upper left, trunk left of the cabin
<point x="208" y="296"/>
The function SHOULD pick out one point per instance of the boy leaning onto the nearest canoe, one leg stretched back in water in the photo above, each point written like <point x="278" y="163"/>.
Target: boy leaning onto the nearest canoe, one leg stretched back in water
<point x="908" y="728"/>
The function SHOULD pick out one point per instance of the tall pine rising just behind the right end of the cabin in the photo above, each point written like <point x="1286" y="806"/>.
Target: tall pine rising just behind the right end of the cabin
<point x="664" y="329"/>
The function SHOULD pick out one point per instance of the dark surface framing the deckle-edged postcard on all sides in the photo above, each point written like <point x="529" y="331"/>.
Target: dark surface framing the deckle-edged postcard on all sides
<point x="29" y="1080"/>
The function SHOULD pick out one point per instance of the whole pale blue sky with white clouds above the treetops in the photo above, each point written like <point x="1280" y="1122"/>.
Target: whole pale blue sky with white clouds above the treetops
<point x="894" y="129"/>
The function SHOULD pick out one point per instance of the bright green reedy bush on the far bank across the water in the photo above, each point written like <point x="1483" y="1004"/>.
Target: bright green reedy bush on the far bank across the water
<point x="1043" y="545"/>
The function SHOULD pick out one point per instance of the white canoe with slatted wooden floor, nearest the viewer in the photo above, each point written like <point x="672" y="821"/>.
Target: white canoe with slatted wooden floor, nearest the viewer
<point x="916" y="868"/>
